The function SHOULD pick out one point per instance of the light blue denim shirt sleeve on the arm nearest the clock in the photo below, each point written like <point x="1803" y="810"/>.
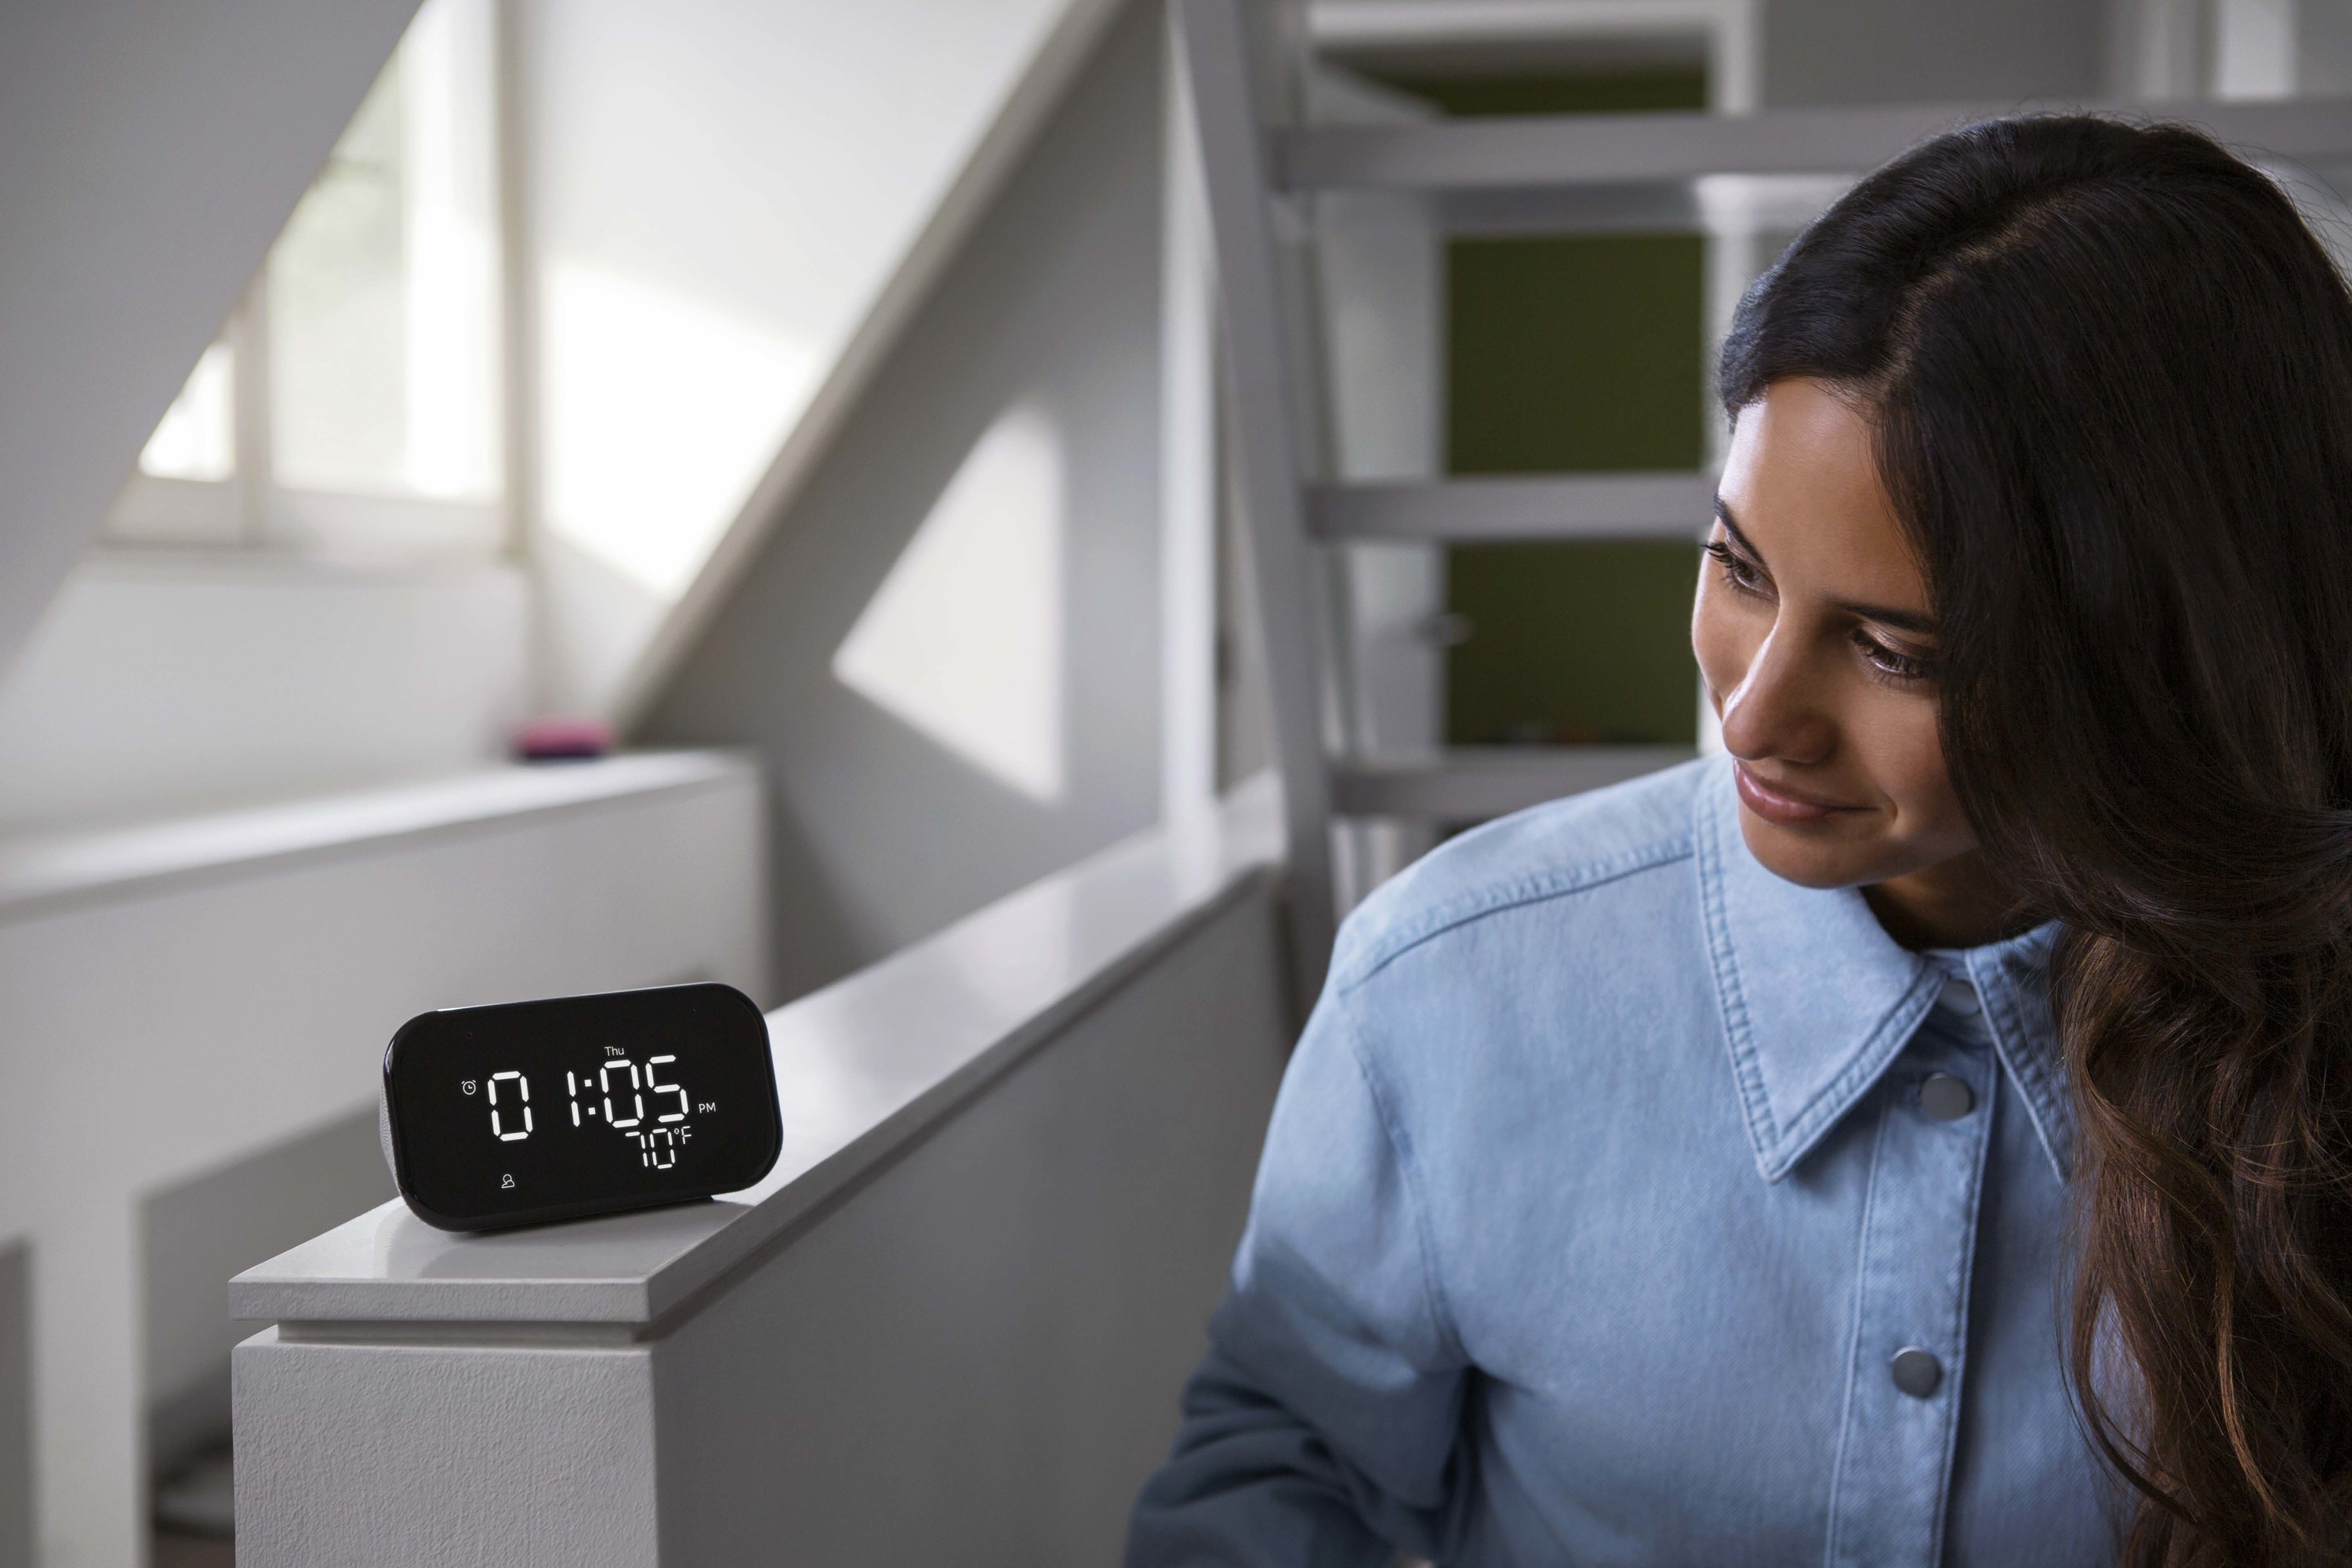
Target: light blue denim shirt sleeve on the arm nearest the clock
<point x="1323" y="1426"/>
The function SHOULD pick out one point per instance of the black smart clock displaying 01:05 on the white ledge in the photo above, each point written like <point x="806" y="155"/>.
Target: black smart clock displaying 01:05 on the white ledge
<point x="577" y="1106"/>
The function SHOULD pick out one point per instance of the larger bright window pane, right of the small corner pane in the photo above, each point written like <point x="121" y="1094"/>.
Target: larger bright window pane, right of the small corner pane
<point x="382" y="293"/>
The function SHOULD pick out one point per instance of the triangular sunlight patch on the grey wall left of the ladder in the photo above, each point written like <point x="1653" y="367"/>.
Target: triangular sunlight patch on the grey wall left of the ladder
<point x="965" y="636"/>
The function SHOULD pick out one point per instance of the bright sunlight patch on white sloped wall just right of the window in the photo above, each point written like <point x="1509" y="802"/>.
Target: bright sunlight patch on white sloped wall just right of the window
<point x="660" y="420"/>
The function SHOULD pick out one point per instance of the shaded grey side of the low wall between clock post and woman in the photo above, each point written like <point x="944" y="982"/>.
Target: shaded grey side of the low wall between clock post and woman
<point x="980" y="1358"/>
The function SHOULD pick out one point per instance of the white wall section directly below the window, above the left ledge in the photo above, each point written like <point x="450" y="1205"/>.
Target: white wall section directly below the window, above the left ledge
<point x="175" y="683"/>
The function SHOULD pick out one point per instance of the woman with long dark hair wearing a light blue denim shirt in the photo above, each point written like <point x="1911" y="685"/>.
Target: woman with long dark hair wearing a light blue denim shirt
<point x="1920" y="1137"/>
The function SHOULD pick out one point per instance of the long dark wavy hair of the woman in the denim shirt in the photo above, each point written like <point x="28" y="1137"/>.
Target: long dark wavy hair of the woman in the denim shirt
<point x="2111" y="380"/>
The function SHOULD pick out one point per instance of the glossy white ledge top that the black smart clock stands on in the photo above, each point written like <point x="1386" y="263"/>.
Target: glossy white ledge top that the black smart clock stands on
<point x="864" y="1068"/>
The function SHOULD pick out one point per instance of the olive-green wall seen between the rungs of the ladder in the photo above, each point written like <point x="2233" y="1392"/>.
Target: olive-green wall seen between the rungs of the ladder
<point x="1575" y="356"/>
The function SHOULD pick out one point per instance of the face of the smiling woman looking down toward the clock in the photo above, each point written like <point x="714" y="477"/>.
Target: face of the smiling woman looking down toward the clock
<point x="1819" y="652"/>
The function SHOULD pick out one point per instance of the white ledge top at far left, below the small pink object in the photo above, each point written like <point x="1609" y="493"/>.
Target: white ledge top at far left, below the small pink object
<point x="72" y="869"/>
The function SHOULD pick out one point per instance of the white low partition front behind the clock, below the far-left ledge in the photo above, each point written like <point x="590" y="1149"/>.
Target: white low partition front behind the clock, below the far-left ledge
<point x="171" y="1031"/>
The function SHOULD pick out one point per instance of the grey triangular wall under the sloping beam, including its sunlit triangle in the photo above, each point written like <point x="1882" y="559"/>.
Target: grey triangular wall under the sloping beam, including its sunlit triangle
<point x="890" y="822"/>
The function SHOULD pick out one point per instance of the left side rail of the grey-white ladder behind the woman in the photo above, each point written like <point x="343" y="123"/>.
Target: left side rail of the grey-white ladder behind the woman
<point x="1212" y="72"/>
